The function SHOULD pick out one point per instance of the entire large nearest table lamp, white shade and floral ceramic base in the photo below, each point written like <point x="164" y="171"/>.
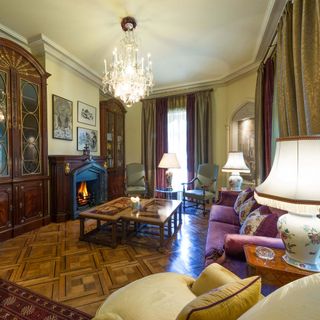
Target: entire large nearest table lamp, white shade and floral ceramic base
<point x="294" y="185"/>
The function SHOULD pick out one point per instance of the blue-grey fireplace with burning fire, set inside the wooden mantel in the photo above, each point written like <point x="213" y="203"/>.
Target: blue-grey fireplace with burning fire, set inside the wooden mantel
<point x="88" y="187"/>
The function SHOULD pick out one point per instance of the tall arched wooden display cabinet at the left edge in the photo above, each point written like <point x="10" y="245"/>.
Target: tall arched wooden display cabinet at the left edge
<point x="23" y="141"/>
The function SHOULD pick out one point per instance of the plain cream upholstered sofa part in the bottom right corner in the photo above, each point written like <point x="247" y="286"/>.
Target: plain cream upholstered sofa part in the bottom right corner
<point x="295" y="301"/>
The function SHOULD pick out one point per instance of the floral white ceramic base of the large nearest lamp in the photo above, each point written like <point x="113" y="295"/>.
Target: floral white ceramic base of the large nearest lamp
<point x="301" y="237"/>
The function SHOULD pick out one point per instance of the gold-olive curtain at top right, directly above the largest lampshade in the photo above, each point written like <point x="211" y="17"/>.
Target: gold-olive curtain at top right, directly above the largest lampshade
<point x="298" y="68"/>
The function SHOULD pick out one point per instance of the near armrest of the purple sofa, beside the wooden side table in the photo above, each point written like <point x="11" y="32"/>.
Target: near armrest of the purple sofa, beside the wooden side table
<point x="233" y="243"/>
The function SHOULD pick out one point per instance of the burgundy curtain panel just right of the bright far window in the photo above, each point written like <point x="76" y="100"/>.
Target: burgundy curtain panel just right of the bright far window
<point x="190" y="135"/>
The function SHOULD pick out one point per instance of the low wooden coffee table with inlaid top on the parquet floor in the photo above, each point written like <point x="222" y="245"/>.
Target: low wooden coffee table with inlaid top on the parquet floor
<point x="166" y="214"/>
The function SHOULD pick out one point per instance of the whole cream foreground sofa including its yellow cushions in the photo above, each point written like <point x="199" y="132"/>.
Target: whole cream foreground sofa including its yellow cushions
<point x="216" y="294"/>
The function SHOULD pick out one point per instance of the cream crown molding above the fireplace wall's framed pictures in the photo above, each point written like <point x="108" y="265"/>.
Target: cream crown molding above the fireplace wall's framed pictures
<point x="41" y="45"/>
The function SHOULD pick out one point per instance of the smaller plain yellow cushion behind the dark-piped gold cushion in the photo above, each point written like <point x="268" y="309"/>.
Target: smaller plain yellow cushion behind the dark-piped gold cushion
<point x="212" y="277"/>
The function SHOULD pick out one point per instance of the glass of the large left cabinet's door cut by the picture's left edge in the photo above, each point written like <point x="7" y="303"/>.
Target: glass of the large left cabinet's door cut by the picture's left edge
<point x="4" y="145"/>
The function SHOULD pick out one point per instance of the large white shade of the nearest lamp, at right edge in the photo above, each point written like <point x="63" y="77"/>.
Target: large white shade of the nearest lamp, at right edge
<point x="294" y="181"/>
